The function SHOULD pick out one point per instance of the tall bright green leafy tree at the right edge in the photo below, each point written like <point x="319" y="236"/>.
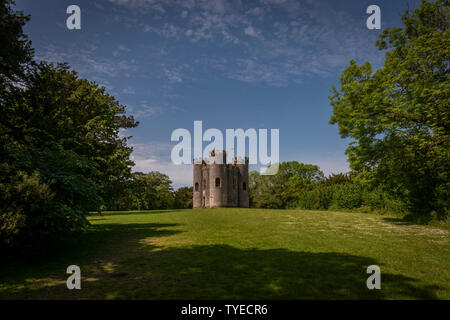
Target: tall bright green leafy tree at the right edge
<point x="398" y="116"/>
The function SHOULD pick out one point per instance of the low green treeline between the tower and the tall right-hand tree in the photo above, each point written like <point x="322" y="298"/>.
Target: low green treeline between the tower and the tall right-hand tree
<point x="304" y="186"/>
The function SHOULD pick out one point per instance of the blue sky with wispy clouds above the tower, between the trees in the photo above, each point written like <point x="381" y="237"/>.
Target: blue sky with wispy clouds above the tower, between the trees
<point x="232" y="64"/>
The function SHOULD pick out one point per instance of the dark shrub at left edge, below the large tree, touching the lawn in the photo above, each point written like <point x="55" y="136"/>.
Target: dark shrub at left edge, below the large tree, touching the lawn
<point x="31" y="217"/>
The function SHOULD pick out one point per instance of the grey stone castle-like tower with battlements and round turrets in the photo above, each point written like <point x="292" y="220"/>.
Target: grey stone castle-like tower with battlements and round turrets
<point x="218" y="184"/>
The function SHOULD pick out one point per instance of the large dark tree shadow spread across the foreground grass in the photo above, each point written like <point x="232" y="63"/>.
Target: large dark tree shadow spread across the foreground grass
<point x="144" y="270"/>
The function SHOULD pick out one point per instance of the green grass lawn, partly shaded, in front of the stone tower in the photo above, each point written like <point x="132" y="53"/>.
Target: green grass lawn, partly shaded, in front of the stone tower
<point x="242" y="254"/>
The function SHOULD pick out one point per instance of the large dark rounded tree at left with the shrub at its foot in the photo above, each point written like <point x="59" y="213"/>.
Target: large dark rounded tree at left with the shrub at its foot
<point x="60" y="143"/>
